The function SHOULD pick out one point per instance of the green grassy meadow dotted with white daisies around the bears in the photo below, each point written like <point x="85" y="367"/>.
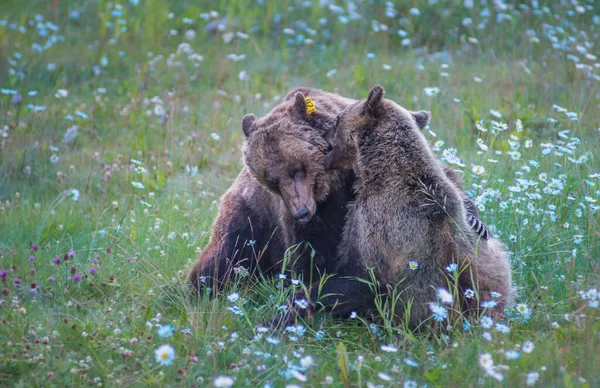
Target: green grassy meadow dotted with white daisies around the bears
<point x="120" y="129"/>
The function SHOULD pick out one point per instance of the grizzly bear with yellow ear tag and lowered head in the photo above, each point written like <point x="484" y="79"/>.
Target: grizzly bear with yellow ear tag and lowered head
<point x="283" y="195"/>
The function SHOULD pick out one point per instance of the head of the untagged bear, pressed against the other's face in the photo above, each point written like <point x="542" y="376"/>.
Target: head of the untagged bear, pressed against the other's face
<point x="358" y="120"/>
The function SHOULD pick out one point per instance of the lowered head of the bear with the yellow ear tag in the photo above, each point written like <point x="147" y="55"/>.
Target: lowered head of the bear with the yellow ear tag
<point x="285" y="151"/>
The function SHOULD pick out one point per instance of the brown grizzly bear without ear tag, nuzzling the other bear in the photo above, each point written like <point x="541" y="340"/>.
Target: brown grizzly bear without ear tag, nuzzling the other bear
<point x="406" y="210"/>
